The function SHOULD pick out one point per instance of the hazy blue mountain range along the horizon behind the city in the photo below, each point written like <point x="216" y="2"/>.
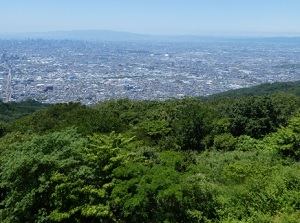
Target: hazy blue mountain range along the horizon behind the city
<point x="108" y="35"/>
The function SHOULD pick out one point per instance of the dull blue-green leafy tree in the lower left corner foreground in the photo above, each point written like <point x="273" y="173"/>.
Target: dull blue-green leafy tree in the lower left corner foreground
<point x="26" y="176"/>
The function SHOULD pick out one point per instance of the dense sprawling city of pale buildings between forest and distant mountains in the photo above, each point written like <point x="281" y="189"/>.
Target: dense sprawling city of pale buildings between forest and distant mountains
<point x="54" y="71"/>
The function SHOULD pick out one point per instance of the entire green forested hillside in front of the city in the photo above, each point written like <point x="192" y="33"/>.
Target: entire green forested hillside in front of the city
<point x="226" y="158"/>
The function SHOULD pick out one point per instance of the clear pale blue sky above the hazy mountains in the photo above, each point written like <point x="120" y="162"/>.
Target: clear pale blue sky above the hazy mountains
<point x="157" y="17"/>
